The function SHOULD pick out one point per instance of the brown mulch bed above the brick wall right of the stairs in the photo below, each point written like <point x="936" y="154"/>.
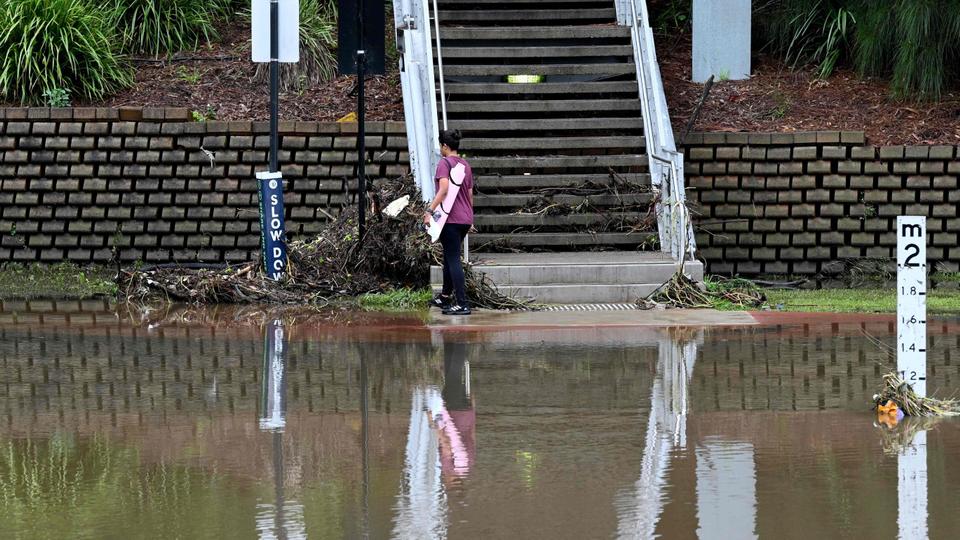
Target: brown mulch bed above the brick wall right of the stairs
<point x="781" y="100"/>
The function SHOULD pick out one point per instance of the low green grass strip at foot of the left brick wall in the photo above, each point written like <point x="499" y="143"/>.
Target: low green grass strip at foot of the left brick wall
<point x="60" y="281"/>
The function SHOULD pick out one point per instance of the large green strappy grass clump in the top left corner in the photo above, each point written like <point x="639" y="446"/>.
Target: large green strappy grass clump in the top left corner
<point x="58" y="44"/>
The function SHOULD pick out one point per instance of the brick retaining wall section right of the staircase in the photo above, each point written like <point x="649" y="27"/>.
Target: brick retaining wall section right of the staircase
<point x="808" y="203"/>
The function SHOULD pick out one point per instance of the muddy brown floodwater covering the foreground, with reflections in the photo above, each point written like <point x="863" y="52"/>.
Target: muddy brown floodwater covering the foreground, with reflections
<point x="239" y="424"/>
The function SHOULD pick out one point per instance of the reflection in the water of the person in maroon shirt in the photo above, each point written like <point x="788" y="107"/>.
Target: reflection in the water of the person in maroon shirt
<point x="457" y="441"/>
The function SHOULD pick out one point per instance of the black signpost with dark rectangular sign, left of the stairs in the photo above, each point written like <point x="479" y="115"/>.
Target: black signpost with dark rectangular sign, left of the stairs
<point x="360" y="51"/>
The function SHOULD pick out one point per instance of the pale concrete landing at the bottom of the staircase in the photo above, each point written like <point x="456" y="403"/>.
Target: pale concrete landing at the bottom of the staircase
<point x="578" y="277"/>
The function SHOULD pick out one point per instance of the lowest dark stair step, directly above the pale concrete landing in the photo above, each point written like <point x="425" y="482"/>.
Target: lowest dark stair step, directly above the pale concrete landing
<point x="557" y="241"/>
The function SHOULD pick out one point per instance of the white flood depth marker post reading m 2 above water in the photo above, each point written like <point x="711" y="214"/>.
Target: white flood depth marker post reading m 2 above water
<point x="912" y="301"/>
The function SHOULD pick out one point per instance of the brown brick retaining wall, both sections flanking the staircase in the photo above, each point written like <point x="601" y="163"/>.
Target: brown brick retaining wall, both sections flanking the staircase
<point x="74" y="183"/>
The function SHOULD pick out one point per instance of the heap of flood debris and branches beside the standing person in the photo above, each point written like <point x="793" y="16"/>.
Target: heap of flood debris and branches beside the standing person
<point x="396" y="252"/>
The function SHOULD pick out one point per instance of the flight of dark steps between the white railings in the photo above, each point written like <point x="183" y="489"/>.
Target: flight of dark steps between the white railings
<point x="559" y="164"/>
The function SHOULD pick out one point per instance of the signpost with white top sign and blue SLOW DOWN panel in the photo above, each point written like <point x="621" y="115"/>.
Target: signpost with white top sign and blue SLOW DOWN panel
<point x="268" y="44"/>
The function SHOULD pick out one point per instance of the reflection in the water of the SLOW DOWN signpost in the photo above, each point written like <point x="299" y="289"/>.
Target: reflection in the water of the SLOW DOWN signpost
<point x="280" y="519"/>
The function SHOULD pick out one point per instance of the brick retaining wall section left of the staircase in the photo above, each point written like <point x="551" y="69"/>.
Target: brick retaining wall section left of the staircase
<point x="74" y="183"/>
